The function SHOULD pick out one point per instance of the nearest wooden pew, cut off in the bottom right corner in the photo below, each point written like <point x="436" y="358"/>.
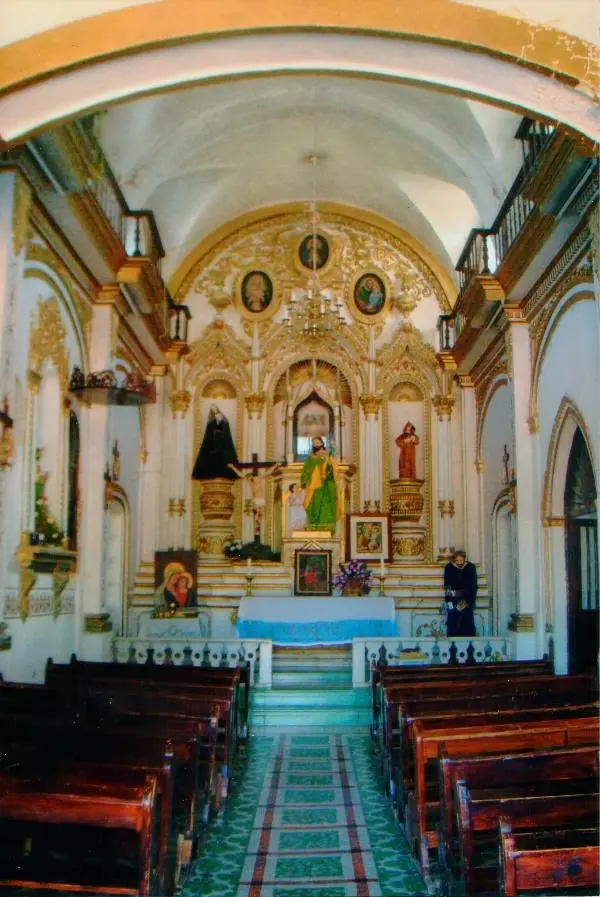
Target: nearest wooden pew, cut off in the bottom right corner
<point x="564" y="858"/>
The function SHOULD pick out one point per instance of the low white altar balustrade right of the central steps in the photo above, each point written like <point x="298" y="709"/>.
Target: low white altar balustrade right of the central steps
<point x="365" y="651"/>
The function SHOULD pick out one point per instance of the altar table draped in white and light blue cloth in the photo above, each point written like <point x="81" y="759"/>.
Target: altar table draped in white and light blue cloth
<point x="316" y="621"/>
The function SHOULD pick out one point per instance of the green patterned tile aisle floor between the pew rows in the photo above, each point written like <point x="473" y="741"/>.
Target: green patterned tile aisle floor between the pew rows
<point x="307" y="818"/>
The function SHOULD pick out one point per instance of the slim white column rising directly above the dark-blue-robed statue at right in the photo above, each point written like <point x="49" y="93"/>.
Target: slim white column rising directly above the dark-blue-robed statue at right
<point x="471" y="485"/>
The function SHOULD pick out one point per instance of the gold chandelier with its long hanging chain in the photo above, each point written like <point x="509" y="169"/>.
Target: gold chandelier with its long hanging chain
<point x="316" y="311"/>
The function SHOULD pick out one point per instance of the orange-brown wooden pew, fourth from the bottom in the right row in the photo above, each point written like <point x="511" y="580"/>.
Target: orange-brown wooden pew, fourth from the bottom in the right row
<point x="477" y="734"/>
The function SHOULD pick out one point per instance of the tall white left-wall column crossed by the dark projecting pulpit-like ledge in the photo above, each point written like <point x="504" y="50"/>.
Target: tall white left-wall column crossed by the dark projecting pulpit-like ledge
<point x="94" y="642"/>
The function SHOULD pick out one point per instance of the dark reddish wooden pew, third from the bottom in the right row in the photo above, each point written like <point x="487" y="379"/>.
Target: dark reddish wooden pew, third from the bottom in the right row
<point x="497" y="770"/>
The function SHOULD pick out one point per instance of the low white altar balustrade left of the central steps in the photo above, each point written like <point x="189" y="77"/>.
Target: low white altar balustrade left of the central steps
<point x="199" y="652"/>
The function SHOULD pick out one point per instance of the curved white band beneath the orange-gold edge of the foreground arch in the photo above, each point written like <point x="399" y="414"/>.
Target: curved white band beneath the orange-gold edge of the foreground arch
<point x="441" y="67"/>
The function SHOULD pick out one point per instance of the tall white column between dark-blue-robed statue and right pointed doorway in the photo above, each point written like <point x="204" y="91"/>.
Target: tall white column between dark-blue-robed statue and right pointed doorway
<point x="527" y="517"/>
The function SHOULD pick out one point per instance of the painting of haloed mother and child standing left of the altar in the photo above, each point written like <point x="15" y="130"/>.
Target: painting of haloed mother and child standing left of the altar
<point x="175" y="581"/>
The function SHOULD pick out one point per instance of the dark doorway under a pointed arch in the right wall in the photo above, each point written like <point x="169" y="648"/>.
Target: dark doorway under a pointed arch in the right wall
<point x="581" y="548"/>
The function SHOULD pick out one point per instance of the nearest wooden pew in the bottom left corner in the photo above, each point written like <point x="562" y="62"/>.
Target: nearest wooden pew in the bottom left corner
<point x="62" y="814"/>
